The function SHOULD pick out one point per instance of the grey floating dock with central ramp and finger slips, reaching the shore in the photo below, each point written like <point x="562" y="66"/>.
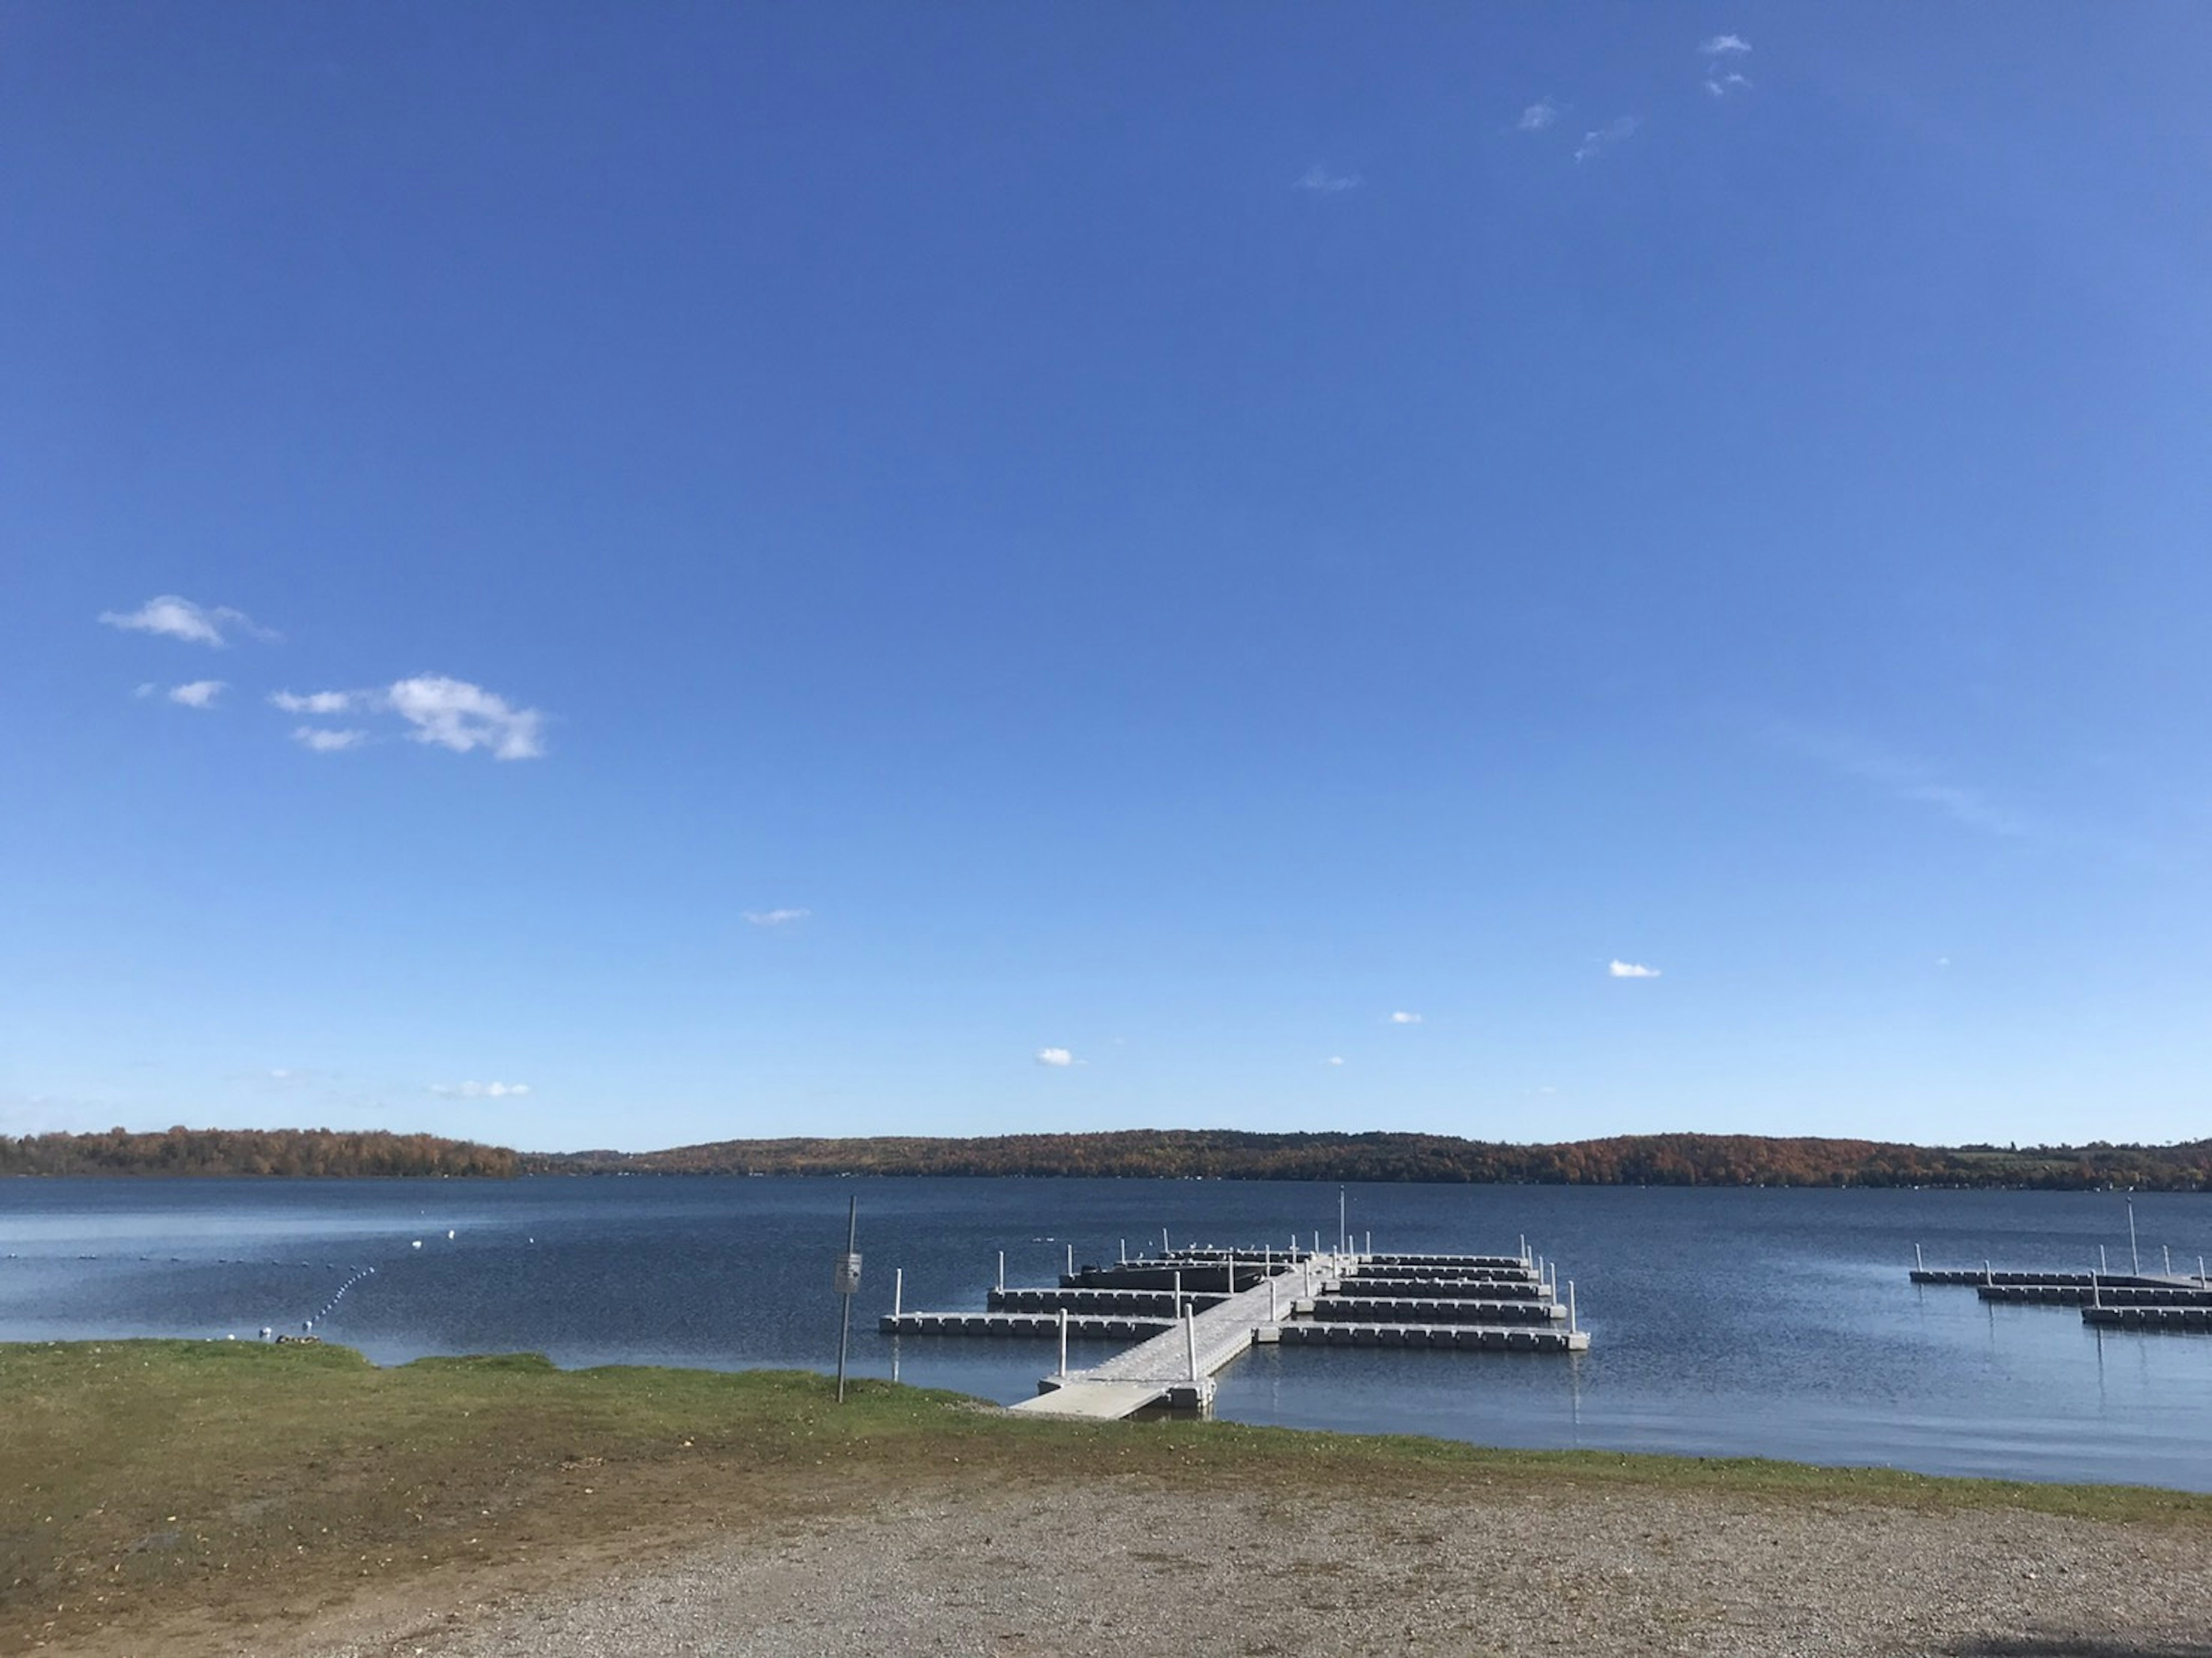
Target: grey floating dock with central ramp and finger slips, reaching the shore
<point x="1196" y="1312"/>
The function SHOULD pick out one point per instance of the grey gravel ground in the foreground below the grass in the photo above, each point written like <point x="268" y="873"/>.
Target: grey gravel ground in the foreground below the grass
<point x="1129" y="1568"/>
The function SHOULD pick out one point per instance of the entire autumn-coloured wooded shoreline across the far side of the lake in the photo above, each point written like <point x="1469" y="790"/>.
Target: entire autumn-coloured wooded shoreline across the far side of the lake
<point x="1222" y="1155"/>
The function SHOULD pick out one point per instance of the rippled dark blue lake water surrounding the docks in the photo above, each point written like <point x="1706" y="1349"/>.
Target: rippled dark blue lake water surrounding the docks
<point x="1724" y="1323"/>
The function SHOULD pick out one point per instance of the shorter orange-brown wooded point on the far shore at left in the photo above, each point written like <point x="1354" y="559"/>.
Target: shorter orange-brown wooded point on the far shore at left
<point x="251" y="1151"/>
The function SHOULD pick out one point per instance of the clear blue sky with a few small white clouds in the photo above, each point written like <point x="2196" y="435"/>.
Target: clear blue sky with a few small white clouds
<point x="632" y="576"/>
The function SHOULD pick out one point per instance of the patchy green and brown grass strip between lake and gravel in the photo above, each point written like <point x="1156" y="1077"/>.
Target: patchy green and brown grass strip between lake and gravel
<point x="145" y="1482"/>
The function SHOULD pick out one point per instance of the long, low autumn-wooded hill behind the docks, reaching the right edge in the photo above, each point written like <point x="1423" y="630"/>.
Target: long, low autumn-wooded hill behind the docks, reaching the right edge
<point x="1631" y="1159"/>
